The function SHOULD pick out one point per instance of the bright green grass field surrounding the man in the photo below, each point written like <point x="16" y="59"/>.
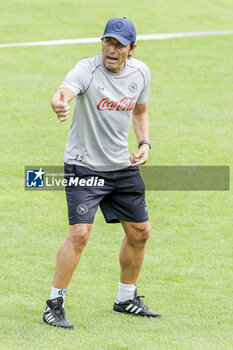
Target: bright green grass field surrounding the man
<point x="187" y="273"/>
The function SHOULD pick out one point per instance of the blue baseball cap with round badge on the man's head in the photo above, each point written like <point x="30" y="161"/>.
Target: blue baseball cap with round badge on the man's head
<point x="121" y="29"/>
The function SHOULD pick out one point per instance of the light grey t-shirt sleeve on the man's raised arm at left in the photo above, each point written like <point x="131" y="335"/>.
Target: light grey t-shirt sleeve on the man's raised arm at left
<point x="78" y="79"/>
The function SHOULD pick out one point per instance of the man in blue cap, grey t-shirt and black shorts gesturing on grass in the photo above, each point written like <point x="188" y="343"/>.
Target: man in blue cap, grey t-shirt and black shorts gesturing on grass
<point x="107" y="88"/>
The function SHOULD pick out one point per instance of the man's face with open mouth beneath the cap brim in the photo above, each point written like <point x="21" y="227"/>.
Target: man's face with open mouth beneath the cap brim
<point x="114" y="54"/>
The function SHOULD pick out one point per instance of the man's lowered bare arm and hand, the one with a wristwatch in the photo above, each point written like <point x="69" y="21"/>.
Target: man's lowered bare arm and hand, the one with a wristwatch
<point x="141" y="126"/>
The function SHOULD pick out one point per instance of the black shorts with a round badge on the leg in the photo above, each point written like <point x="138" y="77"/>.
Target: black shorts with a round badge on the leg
<point x="120" y="194"/>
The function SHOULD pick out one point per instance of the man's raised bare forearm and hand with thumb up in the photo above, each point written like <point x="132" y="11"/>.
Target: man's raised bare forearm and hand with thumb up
<point x="59" y="103"/>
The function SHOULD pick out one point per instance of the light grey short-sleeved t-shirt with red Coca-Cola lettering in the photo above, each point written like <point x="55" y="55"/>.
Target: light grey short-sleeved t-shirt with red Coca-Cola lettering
<point x="102" y="112"/>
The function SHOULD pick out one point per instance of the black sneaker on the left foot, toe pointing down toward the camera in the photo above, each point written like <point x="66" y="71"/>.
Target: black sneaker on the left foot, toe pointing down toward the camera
<point x="54" y="314"/>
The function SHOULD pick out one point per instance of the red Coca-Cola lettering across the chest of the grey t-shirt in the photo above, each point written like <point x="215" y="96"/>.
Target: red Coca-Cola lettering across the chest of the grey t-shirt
<point x="126" y="104"/>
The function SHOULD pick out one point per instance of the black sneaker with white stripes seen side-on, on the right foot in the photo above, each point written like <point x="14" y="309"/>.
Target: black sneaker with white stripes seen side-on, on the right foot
<point x="134" y="307"/>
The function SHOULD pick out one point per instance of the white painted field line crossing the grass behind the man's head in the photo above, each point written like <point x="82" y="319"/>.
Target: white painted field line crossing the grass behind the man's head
<point x="139" y="37"/>
